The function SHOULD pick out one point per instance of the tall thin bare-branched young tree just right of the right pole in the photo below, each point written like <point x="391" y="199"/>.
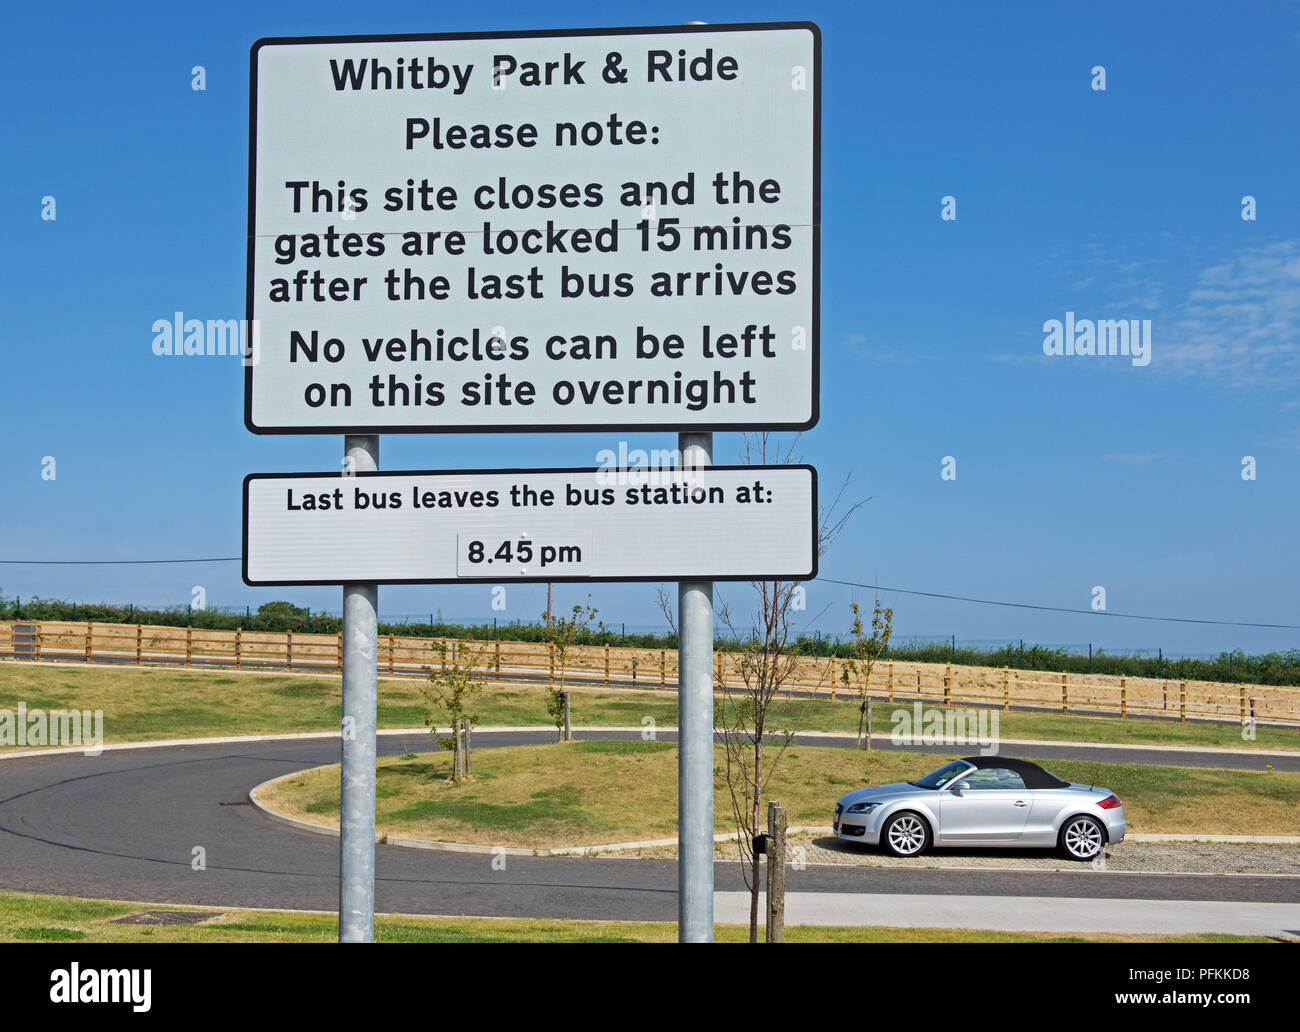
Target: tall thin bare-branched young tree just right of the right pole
<point x="757" y="722"/>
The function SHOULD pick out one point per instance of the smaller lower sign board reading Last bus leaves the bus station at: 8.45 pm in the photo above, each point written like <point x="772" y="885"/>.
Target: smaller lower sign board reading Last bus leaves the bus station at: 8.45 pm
<point x="606" y="524"/>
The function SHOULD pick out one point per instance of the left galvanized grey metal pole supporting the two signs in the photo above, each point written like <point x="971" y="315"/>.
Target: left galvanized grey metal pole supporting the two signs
<point x="361" y="691"/>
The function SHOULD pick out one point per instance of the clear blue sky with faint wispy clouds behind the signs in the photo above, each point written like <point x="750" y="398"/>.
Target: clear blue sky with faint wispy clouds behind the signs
<point x="1072" y="472"/>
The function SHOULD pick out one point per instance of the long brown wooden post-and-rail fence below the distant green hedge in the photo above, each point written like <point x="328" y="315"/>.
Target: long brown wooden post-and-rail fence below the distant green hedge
<point x="656" y="669"/>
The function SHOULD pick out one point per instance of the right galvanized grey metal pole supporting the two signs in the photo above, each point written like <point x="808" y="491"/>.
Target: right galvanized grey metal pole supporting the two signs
<point x="696" y="738"/>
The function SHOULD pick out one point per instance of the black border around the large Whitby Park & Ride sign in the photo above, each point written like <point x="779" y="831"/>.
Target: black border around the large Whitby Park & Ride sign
<point x="816" y="344"/>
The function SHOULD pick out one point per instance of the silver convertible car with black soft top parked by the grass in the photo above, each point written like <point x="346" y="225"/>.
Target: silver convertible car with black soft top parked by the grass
<point x="983" y="801"/>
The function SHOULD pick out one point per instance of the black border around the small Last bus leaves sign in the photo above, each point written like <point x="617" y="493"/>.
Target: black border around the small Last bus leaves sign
<point x="244" y="563"/>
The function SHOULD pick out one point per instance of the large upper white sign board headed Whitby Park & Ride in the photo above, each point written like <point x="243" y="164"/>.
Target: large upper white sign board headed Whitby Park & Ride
<point x="552" y="231"/>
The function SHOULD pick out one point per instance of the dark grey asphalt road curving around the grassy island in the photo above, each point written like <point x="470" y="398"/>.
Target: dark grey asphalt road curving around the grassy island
<point x="125" y="825"/>
